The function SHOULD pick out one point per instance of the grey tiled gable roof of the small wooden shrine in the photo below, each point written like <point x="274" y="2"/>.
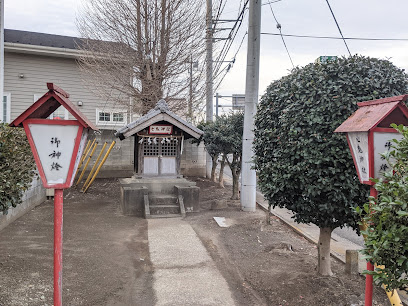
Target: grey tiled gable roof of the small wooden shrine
<point x="161" y="112"/>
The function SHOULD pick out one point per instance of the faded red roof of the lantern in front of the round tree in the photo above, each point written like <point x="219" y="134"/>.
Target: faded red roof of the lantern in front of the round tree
<point x="371" y="113"/>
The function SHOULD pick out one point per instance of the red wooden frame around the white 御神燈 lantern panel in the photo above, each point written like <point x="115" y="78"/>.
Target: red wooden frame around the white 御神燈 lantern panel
<point x="68" y="180"/>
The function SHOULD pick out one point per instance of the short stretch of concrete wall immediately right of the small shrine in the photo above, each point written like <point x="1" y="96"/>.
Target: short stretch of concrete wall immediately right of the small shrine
<point x="192" y="161"/>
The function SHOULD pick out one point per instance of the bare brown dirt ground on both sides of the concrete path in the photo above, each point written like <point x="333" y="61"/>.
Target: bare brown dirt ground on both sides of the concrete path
<point x="106" y="256"/>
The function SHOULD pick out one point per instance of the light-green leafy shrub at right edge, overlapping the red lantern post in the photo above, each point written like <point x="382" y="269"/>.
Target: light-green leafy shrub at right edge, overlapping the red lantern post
<point x="387" y="220"/>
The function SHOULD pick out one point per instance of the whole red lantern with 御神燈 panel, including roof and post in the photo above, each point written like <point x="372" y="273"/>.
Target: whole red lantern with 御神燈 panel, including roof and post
<point x="57" y="146"/>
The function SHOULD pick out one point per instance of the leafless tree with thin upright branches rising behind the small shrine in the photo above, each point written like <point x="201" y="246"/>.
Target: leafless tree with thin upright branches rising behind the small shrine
<point x="143" y="48"/>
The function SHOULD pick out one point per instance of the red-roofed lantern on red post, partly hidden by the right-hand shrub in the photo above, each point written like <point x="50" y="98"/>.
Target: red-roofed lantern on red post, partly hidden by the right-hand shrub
<point x="369" y="134"/>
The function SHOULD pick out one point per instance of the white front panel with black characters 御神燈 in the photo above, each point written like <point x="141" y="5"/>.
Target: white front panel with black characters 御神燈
<point x="55" y="145"/>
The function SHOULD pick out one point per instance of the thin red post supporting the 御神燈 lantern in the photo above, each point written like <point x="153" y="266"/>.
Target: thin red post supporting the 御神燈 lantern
<point x="58" y="220"/>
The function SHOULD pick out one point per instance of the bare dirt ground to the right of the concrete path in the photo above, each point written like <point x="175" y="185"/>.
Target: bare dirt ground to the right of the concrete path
<point x="271" y="264"/>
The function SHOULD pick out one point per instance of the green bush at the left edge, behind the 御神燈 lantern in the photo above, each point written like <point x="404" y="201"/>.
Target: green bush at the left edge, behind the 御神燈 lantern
<point x="16" y="166"/>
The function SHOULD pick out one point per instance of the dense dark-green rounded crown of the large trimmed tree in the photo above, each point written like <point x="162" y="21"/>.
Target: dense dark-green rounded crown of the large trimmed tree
<point x="302" y="165"/>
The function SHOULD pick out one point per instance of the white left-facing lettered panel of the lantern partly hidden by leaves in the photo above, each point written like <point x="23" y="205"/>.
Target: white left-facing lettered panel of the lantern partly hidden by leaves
<point x="359" y="145"/>
